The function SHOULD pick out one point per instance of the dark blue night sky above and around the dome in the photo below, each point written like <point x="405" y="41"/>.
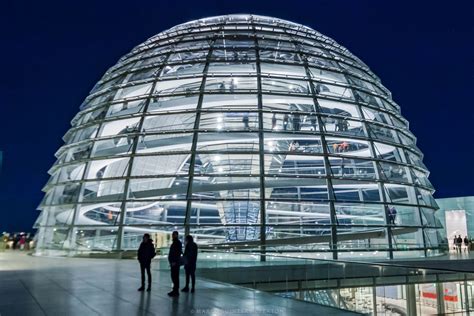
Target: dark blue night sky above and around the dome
<point x="53" y="53"/>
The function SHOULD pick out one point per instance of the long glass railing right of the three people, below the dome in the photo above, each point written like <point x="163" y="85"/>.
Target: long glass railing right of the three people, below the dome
<point x="364" y="287"/>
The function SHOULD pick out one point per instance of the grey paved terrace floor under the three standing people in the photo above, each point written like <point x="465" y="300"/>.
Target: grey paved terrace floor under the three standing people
<point x="72" y="286"/>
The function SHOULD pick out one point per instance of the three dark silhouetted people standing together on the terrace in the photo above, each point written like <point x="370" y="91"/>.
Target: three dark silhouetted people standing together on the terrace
<point x="176" y="258"/>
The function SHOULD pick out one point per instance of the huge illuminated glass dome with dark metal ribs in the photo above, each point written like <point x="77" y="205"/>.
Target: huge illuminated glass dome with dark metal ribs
<point x="246" y="132"/>
